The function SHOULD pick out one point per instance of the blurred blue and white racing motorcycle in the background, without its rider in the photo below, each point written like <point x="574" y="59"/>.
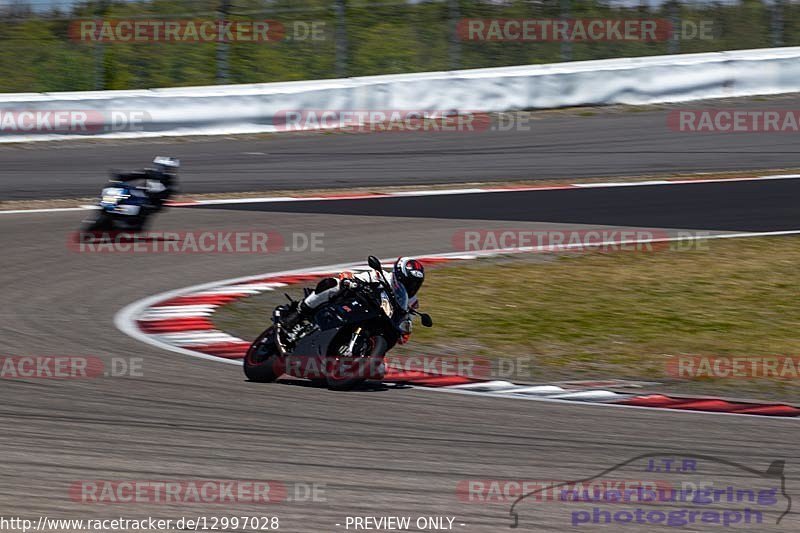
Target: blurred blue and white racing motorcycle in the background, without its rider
<point x="121" y="207"/>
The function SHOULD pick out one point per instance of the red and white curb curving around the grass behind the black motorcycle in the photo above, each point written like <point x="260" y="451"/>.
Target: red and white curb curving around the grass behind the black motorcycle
<point x="179" y="321"/>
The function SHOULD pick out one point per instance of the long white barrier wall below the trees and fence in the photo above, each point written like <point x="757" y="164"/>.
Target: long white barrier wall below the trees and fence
<point x="250" y="108"/>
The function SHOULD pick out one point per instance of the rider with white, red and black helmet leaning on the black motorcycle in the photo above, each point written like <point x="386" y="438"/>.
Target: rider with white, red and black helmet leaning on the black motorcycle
<point x="407" y="273"/>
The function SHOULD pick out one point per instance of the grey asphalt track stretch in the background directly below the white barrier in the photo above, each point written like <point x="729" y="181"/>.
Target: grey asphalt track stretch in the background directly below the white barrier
<point x="554" y="145"/>
